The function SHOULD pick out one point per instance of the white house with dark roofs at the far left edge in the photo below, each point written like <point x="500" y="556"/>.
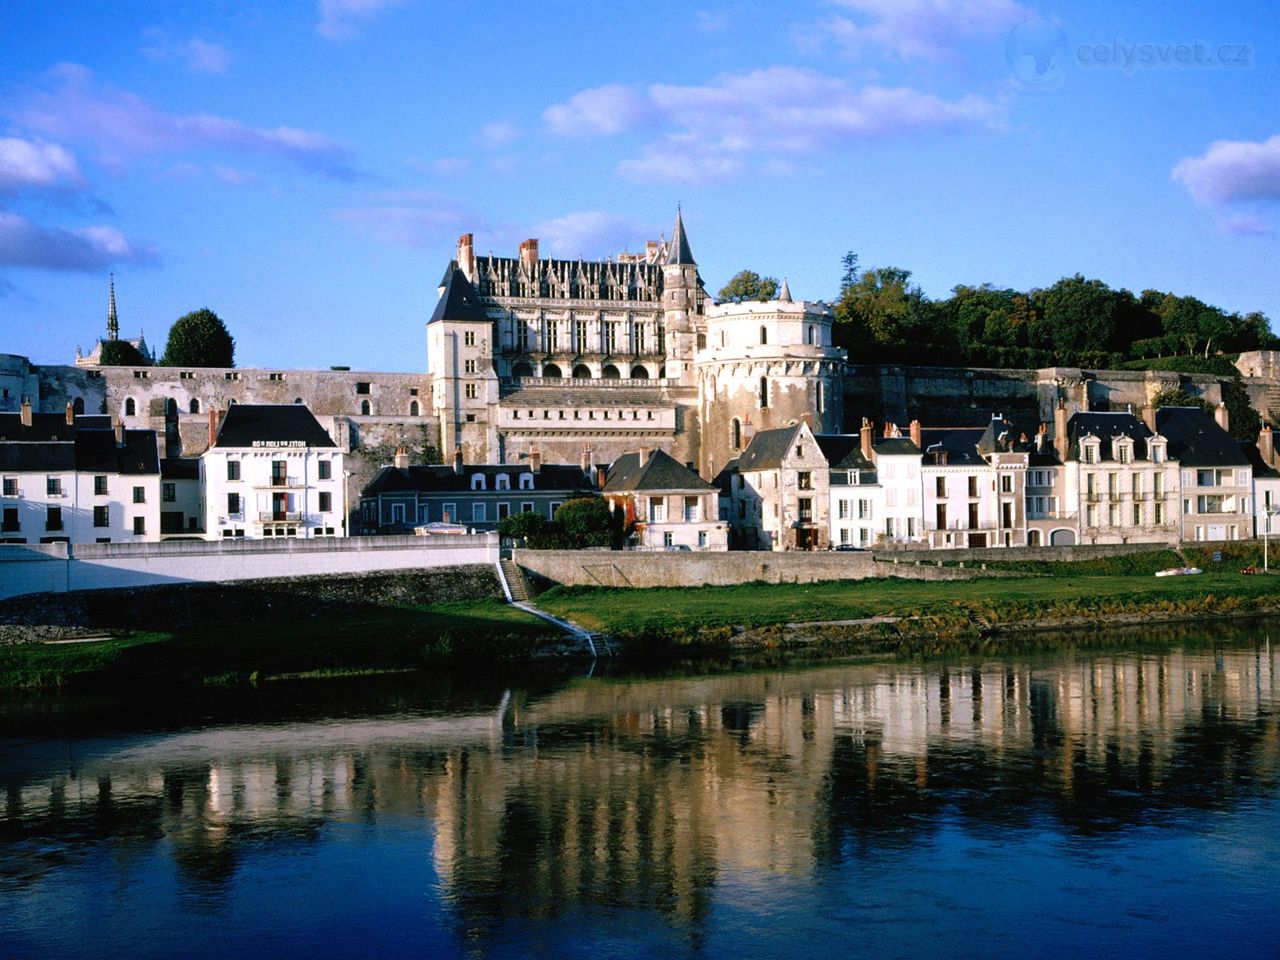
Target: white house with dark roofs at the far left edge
<point x="77" y="481"/>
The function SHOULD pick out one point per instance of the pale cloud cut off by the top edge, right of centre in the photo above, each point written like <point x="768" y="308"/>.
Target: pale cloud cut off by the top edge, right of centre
<point x="921" y="30"/>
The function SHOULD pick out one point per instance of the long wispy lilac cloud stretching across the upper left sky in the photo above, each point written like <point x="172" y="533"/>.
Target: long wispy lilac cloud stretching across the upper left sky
<point x="124" y="125"/>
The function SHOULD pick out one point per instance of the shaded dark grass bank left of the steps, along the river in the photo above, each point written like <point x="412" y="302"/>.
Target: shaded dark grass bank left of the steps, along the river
<point x="380" y="642"/>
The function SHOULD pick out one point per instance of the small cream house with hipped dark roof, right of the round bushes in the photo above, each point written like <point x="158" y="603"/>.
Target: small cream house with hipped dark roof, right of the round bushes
<point x="673" y="508"/>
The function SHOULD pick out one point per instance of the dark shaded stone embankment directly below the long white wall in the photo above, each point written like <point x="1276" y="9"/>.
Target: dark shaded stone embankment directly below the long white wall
<point x="39" y="618"/>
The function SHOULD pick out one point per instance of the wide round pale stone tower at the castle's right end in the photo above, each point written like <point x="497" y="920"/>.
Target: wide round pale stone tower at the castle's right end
<point x="765" y="367"/>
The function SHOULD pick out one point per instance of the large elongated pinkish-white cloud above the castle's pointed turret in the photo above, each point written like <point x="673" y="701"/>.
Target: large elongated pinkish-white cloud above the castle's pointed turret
<point x="716" y="130"/>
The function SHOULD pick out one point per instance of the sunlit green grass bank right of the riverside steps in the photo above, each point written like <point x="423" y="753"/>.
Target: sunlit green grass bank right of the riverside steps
<point x="675" y="614"/>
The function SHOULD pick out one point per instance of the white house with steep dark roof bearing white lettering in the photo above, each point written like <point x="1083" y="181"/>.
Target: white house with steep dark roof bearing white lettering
<point x="272" y="470"/>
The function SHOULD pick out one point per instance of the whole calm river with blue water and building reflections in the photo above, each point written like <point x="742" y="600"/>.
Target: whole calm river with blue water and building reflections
<point x="1118" y="803"/>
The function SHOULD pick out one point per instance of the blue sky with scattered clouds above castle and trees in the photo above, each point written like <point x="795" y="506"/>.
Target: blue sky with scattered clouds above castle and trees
<point x="305" y="170"/>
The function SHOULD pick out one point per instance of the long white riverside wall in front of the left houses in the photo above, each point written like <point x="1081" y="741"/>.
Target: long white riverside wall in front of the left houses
<point x="29" y="569"/>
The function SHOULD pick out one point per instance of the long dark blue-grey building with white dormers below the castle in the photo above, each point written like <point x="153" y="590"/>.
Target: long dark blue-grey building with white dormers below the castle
<point x="479" y="496"/>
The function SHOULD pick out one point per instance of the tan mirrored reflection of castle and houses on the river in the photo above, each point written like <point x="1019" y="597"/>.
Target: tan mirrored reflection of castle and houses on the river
<point x="664" y="789"/>
